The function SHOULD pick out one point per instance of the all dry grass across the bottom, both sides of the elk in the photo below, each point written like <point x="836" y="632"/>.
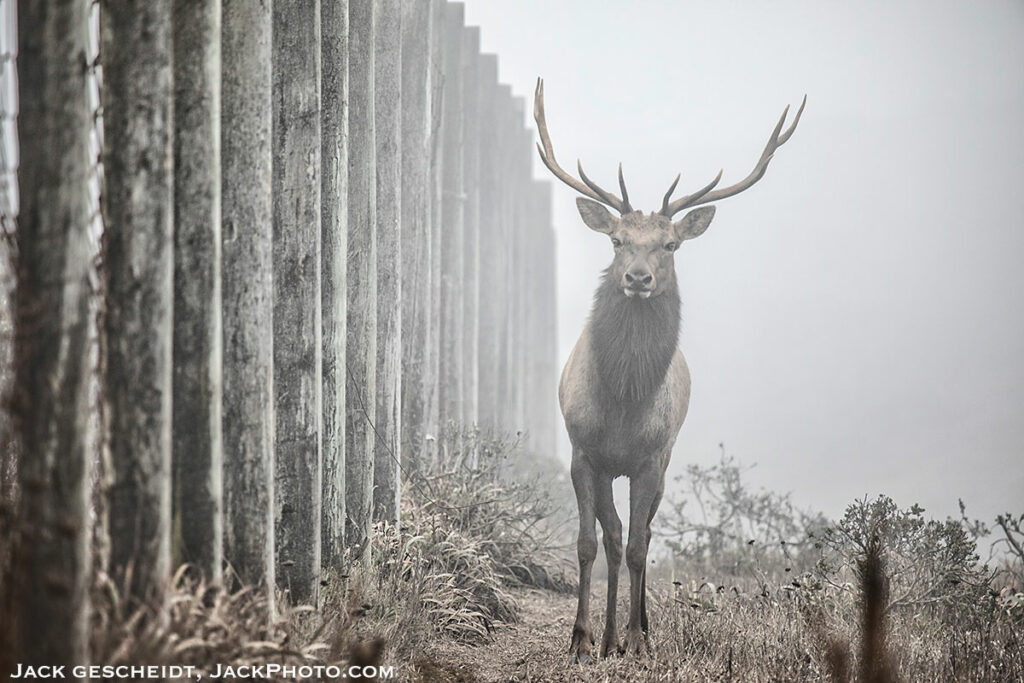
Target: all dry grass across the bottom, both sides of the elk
<point x="463" y="590"/>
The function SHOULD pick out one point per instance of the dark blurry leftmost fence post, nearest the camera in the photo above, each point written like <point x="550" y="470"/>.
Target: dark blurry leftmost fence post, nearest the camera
<point x="52" y="323"/>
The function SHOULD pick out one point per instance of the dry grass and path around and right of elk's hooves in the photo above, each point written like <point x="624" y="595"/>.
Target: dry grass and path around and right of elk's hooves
<point x="767" y="625"/>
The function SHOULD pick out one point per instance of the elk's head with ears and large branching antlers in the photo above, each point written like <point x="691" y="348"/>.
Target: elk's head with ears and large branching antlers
<point x="646" y="244"/>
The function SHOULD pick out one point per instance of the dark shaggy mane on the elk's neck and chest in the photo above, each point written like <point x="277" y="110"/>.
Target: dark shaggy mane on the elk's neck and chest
<point x="633" y="340"/>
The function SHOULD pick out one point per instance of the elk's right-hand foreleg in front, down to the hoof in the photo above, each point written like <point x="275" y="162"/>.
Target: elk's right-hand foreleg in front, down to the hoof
<point x="645" y="491"/>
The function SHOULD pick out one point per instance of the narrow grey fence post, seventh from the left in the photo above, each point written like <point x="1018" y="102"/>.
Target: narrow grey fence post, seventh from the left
<point x="361" y="404"/>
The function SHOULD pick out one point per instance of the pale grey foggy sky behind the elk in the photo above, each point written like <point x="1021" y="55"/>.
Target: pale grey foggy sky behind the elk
<point x="855" y="324"/>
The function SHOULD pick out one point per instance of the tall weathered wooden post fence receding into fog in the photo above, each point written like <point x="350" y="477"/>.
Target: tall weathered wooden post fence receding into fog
<point x="320" y="246"/>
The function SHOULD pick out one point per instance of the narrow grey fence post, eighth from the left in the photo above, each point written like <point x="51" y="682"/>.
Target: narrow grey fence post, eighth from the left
<point x="388" y="95"/>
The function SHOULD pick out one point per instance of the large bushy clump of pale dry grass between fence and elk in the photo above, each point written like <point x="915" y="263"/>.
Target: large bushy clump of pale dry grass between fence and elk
<point x="470" y="535"/>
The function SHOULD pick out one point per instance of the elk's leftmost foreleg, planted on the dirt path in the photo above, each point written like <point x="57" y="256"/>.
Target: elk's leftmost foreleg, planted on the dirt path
<point x="583" y="483"/>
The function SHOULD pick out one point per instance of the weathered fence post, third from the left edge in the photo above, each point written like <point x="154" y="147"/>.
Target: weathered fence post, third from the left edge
<point x="197" y="445"/>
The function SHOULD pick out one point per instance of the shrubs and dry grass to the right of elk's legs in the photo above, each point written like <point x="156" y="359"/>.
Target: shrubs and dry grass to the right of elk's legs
<point x="883" y="594"/>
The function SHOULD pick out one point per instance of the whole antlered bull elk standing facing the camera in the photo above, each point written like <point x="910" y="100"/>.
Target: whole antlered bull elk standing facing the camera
<point x="625" y="391"/>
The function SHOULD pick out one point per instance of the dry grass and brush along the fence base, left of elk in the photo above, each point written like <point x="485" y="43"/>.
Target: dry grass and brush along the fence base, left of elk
<point x="467" y="536"/>
